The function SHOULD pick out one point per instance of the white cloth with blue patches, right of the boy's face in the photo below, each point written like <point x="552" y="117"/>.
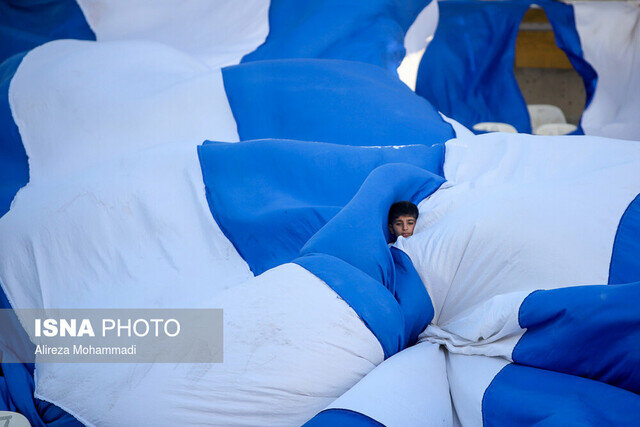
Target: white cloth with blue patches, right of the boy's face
<point x="520" y="214"/>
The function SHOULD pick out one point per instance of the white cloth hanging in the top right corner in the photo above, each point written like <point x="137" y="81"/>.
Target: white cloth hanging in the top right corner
<point x="610" y="42"/>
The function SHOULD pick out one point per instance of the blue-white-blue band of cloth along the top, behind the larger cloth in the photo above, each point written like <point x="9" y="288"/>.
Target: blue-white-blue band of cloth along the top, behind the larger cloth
<point x="220" y="33"/>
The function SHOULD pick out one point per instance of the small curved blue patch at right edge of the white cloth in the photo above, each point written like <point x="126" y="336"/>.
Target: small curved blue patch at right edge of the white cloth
<point x="625" y="256"/>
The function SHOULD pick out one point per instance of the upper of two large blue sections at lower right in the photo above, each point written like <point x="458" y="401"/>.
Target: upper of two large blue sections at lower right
<point x="588" y="331"/>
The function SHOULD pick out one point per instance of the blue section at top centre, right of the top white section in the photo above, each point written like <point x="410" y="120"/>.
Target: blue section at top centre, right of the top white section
<point x="369" y="31"/>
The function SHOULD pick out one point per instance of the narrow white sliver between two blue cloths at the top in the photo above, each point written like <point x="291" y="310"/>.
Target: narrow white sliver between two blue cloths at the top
<point x="418" y="36"/>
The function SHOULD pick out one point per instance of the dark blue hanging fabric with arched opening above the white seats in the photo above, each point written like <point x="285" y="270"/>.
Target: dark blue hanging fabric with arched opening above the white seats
<point x="467" y="70"/>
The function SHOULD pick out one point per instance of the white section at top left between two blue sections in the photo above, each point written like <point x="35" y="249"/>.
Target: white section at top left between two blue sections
<point x="217" y="32"/>
